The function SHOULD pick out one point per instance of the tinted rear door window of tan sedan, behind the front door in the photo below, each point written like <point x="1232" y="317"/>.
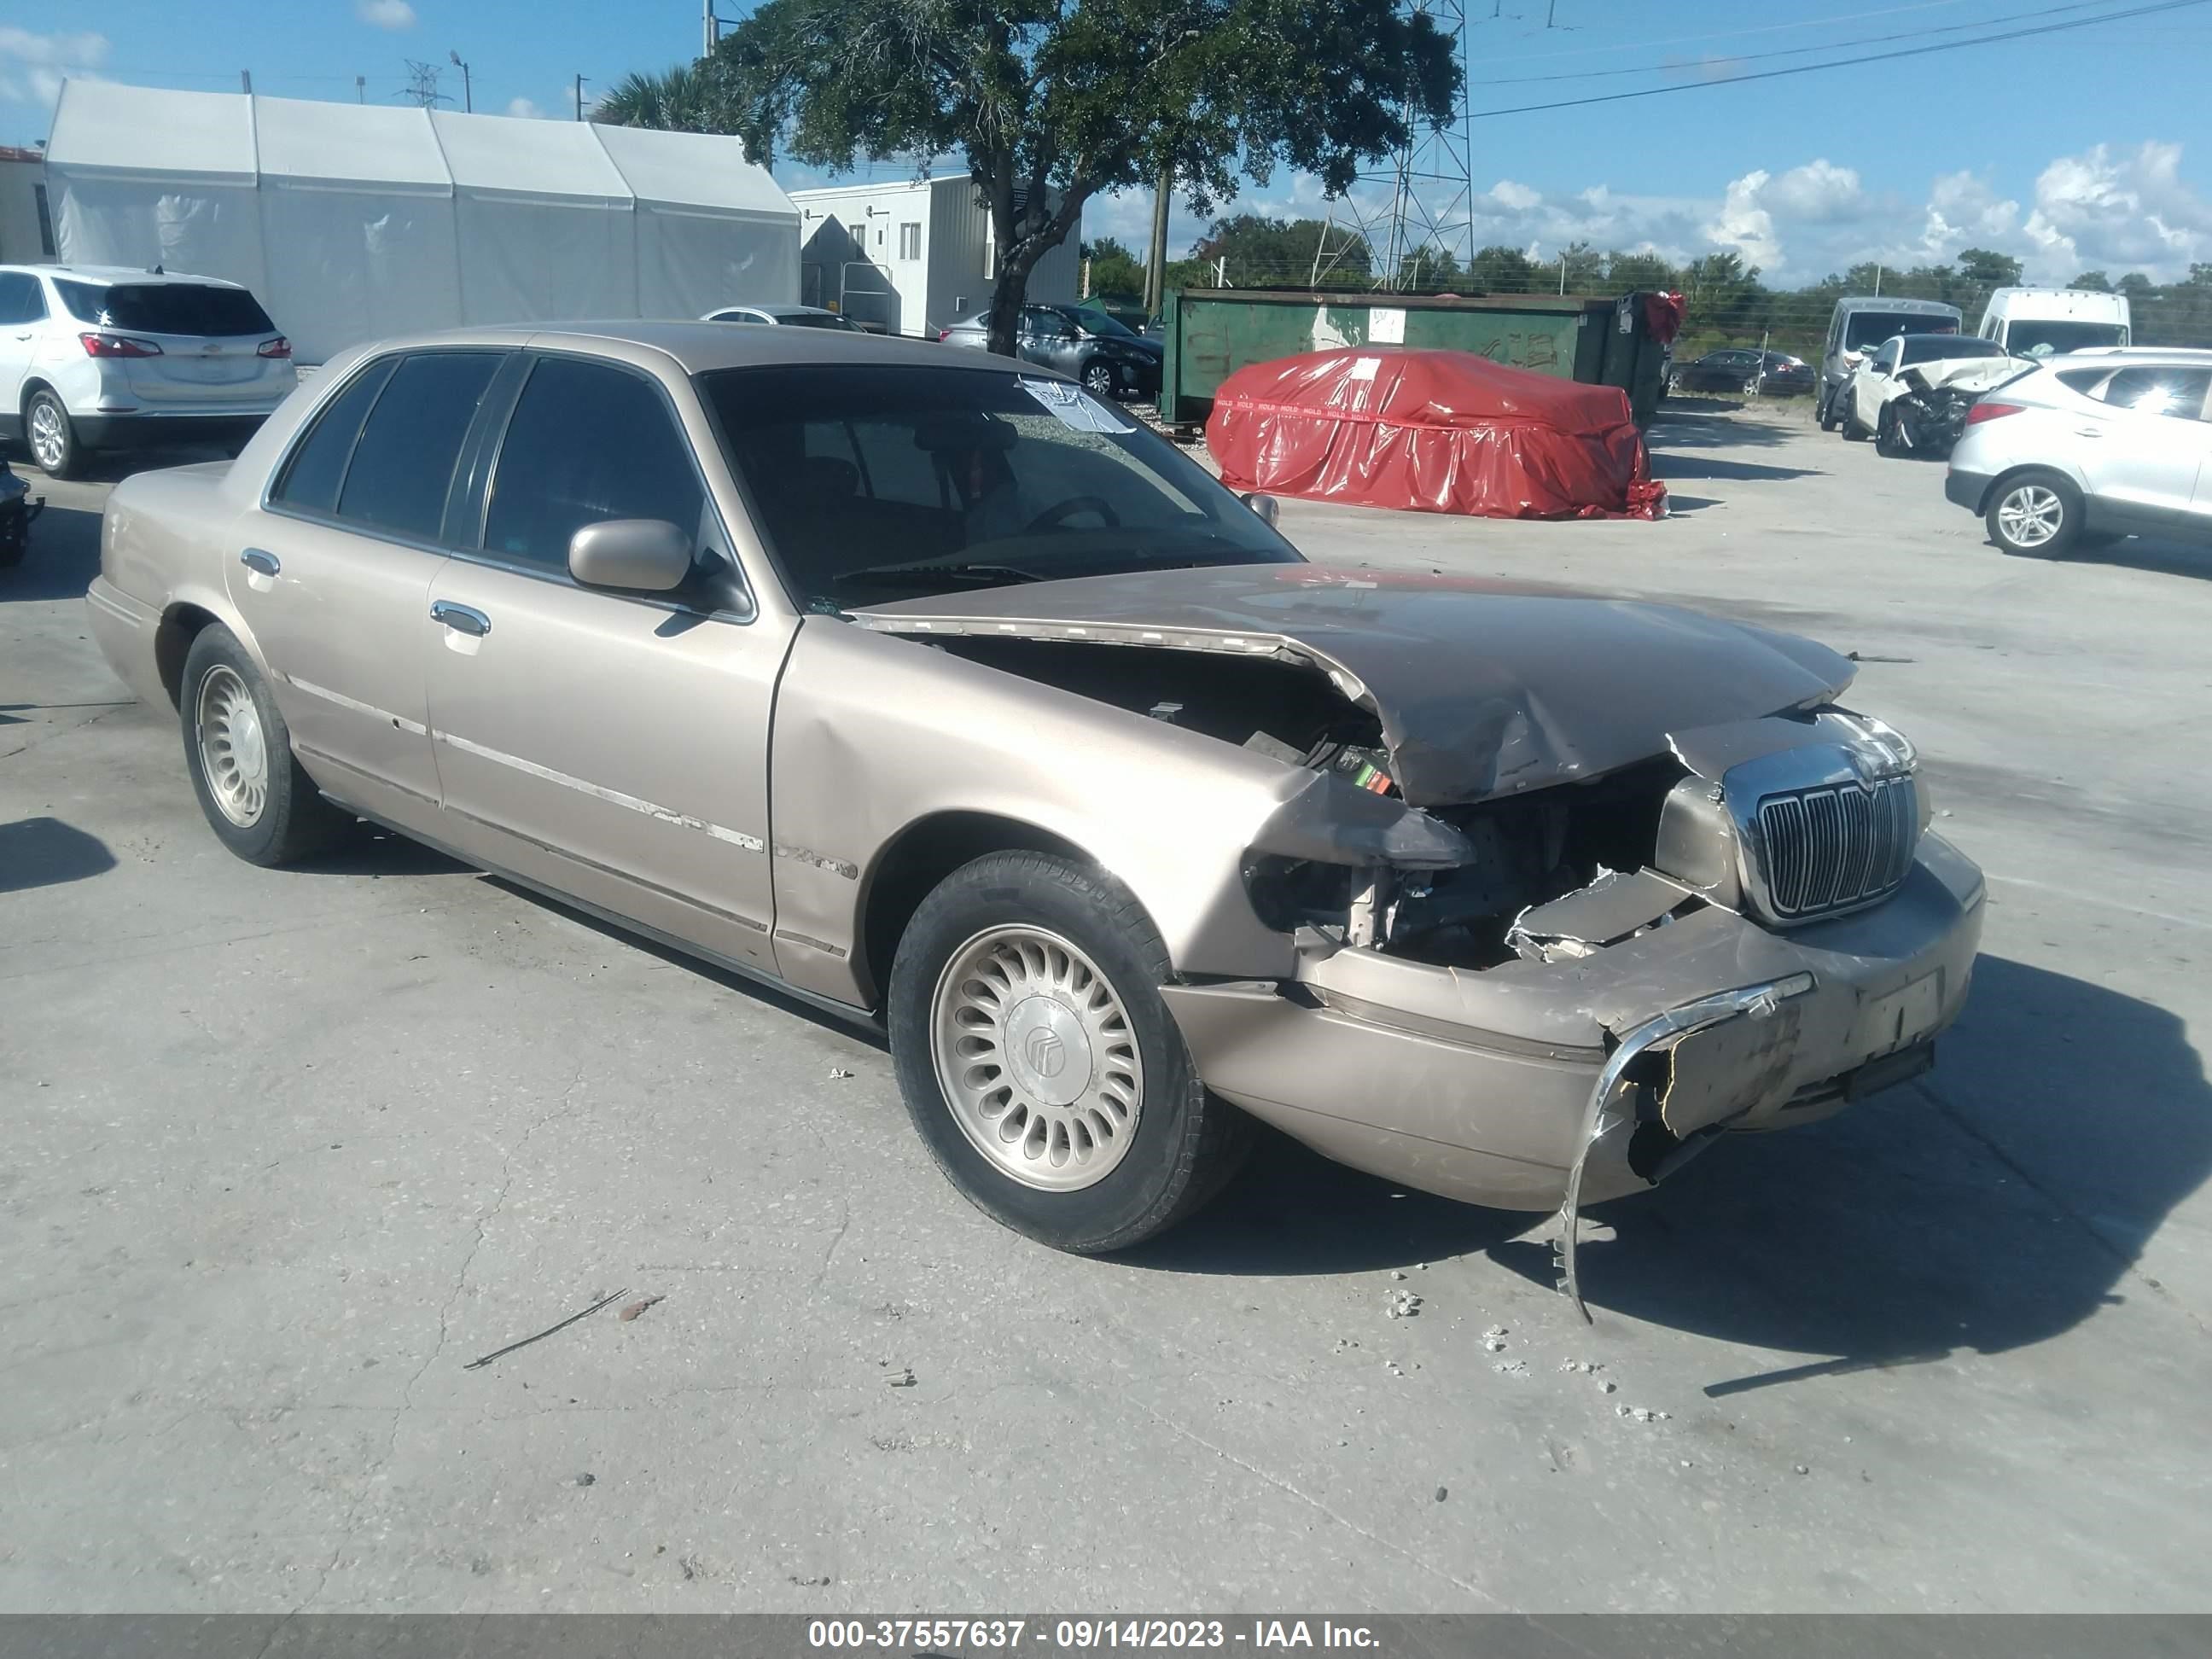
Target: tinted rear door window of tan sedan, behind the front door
<point x="413" y="439"/>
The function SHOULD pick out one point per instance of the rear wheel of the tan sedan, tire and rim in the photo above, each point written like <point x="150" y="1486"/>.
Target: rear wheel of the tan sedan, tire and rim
<point x="240" y="755"/>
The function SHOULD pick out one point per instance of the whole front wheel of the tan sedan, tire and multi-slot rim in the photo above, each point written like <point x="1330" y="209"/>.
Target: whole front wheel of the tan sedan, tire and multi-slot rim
<point x="1039" y="1058"/>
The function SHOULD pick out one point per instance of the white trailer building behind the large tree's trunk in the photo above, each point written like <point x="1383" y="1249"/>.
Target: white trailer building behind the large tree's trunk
<point x="912" y="255"/>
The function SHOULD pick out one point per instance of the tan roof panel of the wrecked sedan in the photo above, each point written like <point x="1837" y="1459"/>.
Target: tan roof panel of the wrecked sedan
<point x="702" y="348"/>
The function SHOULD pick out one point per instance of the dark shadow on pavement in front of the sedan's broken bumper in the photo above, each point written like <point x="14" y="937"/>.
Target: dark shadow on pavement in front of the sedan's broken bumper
<point x="1992" y="1207"/>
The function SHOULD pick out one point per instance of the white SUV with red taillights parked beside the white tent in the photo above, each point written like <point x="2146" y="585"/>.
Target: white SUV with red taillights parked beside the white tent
<point x="103" y="357"/>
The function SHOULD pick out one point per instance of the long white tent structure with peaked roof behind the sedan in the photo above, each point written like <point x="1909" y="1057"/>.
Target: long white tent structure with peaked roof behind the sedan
<point x="353" y="222"/>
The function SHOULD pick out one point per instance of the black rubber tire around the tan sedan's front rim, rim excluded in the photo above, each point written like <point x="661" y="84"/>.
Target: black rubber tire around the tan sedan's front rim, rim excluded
<point x="1185" y="1145"/>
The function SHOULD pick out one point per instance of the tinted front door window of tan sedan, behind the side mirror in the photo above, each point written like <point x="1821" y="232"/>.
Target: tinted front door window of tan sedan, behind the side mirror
<point x="587" y="441"/>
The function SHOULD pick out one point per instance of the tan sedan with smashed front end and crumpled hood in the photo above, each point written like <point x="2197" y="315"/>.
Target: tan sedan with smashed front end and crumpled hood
<point x="939" y="693"/>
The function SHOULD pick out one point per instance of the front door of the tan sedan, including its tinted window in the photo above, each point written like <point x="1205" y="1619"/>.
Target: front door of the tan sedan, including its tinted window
<point x="612" y="747"/>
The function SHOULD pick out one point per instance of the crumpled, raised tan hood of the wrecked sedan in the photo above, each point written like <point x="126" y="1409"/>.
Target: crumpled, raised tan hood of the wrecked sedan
<point x="1483" y="689"/>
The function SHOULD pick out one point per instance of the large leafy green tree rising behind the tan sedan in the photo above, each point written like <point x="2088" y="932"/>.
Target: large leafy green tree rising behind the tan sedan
<point x="1058" y="101"/>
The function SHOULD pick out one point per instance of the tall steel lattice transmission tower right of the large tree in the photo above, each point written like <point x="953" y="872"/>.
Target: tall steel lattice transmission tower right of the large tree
<point x="1428" y="187"/>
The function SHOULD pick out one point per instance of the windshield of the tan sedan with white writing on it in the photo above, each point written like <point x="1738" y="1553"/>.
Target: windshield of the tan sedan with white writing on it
<point x="890" y="483"/>
